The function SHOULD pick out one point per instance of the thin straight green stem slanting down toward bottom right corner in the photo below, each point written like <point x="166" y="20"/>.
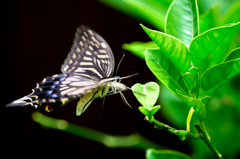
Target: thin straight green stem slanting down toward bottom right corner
<point x="205" y="137"/>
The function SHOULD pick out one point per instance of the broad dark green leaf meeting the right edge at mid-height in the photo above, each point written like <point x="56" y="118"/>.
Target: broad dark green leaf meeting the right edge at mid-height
<point x="217" y="75"/>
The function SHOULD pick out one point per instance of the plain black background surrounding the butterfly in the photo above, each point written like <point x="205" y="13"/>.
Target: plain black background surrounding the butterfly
<point x="35" y="39"/>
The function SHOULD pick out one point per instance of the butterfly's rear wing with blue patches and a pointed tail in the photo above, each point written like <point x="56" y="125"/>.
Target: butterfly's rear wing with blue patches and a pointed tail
<point x="57" y="89"/>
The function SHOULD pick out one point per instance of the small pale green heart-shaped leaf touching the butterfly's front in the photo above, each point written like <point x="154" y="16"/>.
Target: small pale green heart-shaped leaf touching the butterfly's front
<point x="146" y="94"/>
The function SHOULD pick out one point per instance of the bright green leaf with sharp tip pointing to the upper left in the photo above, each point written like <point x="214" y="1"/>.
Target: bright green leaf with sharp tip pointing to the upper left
<point x="172" y="47"/>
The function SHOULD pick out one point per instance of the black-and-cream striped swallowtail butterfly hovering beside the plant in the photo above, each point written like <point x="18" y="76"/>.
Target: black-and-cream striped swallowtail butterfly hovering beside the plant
<point x="86" y="74"/>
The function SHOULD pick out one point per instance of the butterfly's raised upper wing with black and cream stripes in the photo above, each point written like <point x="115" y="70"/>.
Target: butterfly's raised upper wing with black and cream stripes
<point x="90" y="56"/>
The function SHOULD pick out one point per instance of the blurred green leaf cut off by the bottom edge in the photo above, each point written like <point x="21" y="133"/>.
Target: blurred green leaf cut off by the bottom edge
<point x="165" y="154"/>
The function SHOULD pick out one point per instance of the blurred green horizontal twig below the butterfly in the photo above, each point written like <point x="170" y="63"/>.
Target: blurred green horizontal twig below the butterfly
<point x="131" y="141"/>
